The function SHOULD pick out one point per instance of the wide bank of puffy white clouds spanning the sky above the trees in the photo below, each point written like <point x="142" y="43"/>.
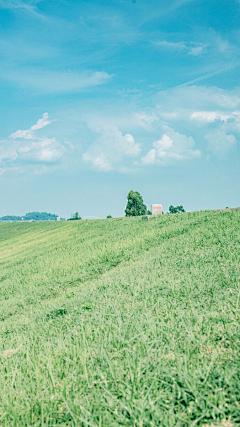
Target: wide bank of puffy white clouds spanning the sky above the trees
<point x="186" y="124"/>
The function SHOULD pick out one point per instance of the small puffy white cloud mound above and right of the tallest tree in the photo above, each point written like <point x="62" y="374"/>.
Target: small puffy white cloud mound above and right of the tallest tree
<point x="172" y="147"/>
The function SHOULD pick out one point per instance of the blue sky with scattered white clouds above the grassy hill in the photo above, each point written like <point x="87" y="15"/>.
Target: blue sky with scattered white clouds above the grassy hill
<point x="101" y="97"/>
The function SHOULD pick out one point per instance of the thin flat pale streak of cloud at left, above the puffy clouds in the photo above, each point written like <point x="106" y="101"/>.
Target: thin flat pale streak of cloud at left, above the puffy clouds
<point x="56" y="81"/>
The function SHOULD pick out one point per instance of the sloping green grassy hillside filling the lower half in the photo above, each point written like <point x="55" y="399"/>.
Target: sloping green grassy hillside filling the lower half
<point x="121" y="322"/>
